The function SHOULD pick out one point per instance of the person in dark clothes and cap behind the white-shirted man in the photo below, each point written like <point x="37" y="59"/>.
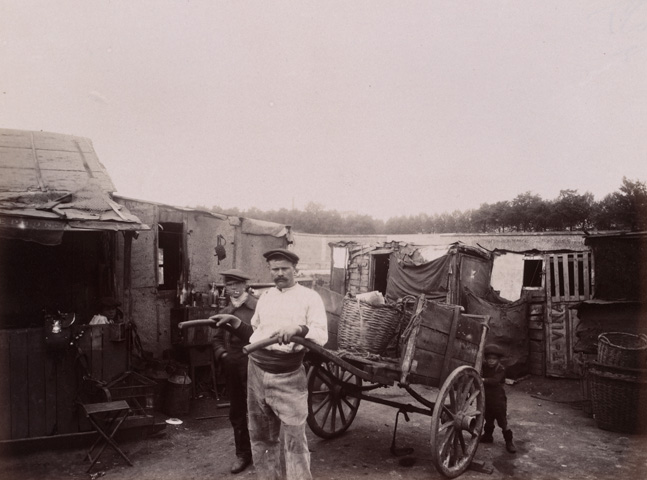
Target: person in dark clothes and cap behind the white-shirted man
<point x="228" y="350"/>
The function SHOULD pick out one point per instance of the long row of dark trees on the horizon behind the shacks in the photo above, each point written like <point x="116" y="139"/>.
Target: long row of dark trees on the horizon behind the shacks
<point x="624" y="209"/>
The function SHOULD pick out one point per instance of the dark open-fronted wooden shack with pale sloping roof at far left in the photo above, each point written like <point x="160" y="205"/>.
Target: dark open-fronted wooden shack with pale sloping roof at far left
<point x="63" y="240"/>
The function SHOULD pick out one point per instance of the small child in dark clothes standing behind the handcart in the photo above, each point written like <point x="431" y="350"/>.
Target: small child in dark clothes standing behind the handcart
<point x="495" y="399"/>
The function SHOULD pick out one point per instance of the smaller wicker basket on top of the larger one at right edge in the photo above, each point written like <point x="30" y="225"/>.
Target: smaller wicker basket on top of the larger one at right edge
<point x="622" y="350"/>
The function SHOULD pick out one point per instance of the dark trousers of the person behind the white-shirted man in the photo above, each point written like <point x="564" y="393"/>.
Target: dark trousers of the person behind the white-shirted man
<point x="235" y="369"/>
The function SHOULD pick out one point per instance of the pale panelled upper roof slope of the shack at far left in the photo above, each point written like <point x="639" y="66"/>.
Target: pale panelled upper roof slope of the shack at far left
<point x="48" y="162"/>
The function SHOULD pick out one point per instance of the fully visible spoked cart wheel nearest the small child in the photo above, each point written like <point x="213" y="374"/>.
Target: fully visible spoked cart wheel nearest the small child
<point x="457" y="421"/>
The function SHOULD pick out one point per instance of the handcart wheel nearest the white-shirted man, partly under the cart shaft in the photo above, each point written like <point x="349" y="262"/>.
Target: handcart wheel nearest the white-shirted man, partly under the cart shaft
<point x="331" y="409"/>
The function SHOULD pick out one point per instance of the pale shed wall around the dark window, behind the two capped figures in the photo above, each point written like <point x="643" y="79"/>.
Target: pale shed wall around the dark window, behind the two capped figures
<point x="151" y="307"/>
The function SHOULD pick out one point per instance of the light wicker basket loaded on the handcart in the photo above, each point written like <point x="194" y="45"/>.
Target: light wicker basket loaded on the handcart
<point x="367" y="328"/>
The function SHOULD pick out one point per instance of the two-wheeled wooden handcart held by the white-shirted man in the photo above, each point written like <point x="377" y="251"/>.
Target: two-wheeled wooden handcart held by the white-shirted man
<point x="441" y="348"/>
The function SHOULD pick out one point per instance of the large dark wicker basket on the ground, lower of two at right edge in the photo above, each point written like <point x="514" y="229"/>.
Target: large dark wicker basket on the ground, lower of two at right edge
<point x="618" y="398"/>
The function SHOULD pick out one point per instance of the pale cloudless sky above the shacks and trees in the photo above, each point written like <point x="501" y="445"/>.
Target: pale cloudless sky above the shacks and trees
<point x="376" y="107"/>
